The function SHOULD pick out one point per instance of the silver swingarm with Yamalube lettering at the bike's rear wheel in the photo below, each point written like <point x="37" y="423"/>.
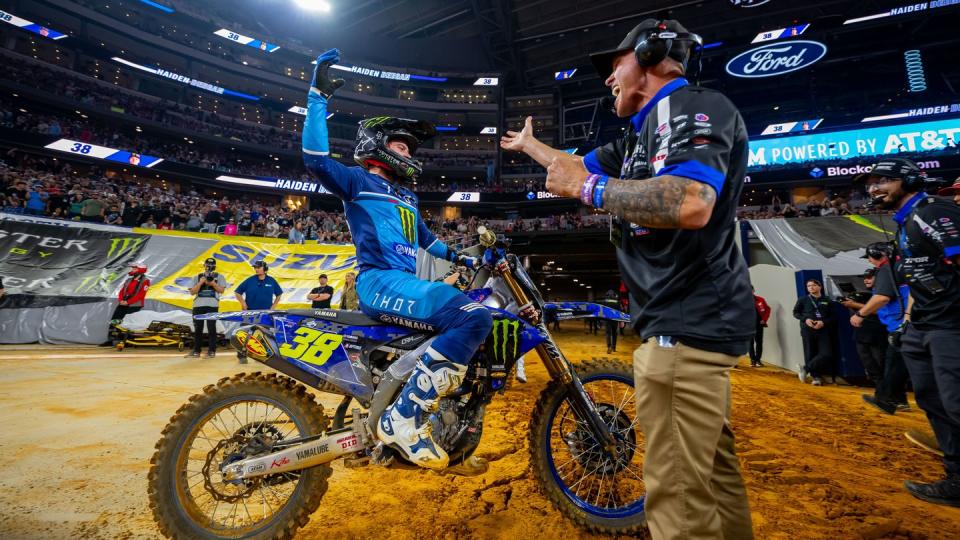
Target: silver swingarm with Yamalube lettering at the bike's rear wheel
<point x="334" y="445"/>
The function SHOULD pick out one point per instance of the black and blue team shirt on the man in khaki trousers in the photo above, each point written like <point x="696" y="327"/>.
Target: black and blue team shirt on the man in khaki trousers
<point x="690" y="284"/>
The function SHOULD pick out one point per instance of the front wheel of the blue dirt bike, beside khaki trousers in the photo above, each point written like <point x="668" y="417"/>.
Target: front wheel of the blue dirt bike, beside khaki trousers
<point x="599" y="492"/>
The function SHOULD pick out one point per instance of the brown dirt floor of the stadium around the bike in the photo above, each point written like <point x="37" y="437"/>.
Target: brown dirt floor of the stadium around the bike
<point x="78" y="434"/>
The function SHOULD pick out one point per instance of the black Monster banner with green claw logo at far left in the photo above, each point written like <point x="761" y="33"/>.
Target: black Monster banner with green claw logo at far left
<point x="50" y="265"/>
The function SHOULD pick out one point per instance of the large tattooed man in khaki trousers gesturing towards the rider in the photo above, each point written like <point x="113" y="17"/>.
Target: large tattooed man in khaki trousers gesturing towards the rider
<point x="672" y="184"/>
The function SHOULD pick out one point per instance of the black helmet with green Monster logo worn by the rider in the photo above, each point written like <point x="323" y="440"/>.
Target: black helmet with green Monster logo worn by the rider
<point x="373" y="136"/>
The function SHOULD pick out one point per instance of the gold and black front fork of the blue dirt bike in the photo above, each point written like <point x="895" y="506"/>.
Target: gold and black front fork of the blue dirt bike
<point x="561" y="370"/>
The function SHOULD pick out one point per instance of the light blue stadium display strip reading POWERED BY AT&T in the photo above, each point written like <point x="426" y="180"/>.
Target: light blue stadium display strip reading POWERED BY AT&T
<point x="867" y="142"/>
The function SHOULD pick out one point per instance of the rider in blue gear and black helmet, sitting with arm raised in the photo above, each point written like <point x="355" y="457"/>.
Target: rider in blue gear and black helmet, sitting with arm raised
<point x="385" y="222"/>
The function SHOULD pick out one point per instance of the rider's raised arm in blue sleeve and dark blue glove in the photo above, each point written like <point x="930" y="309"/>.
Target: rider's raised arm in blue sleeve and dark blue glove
<point x="336" y="177"/>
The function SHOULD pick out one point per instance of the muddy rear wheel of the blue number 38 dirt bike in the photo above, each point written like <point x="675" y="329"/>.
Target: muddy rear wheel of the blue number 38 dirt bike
<point x="240" y="417"/>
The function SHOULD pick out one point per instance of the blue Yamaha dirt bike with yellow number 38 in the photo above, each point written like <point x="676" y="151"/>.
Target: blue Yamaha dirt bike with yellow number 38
<point x="250" y="456"/>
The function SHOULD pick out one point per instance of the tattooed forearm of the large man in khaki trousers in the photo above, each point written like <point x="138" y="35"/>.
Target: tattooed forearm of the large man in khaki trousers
<point x="655" y="202"/>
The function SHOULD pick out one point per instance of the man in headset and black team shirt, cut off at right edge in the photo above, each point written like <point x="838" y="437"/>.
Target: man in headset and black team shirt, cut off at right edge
<point x="928" y="240"/>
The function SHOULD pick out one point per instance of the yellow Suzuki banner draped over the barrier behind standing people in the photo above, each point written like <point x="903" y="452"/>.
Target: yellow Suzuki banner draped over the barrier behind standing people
<point x="296" y="267"/>
